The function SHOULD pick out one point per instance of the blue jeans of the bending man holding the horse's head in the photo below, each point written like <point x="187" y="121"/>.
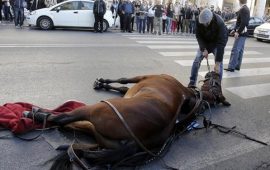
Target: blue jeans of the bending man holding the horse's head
<point x="196" y="66"/>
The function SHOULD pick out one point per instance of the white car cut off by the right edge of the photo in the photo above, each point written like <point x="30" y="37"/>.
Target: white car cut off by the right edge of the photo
<point x="262" y="32"/>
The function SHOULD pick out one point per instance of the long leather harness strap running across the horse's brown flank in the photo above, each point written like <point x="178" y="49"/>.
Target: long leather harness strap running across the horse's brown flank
<point x="128" y="128"/>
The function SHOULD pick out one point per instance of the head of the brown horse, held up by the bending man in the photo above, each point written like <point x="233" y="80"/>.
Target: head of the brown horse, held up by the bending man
<point x="212" y="90"/>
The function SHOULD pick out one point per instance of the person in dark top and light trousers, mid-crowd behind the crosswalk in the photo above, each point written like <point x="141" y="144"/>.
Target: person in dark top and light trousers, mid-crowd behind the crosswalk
<point x="158" y="17"/>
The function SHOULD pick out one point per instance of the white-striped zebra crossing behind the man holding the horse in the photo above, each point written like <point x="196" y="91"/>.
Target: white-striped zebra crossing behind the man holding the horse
<point x="176" y="44"/>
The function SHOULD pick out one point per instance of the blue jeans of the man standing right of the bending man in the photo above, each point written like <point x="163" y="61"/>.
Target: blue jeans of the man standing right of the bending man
<point x="237" y="53"/>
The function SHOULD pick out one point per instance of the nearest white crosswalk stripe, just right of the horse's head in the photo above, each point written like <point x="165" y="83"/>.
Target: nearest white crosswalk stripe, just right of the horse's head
<point x="251" y="91"/>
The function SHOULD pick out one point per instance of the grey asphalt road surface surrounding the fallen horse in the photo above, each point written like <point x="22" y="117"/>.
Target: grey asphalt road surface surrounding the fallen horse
<point x="47" y="68"/>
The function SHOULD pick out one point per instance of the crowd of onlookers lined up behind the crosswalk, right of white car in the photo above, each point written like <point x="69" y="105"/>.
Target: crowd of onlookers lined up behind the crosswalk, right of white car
<point x="146" y="16"/>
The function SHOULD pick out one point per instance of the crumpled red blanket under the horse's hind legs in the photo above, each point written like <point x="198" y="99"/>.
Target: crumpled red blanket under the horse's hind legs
<point x="11" y="115"/>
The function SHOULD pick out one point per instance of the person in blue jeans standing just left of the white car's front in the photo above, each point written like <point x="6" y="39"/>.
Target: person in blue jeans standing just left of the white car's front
<point x="19" y="12"/>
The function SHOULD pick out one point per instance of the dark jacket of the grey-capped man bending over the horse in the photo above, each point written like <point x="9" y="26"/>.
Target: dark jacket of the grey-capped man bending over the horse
<point x="215" y="35"/>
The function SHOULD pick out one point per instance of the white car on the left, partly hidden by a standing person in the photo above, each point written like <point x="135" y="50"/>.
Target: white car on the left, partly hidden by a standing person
<point x="70" y="13"/>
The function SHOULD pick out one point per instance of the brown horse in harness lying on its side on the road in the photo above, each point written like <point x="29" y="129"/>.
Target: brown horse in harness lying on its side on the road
<point x="142" y="120"/>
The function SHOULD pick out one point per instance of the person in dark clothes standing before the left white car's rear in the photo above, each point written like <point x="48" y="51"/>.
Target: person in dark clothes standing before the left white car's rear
<point x="99" y="9"/>
